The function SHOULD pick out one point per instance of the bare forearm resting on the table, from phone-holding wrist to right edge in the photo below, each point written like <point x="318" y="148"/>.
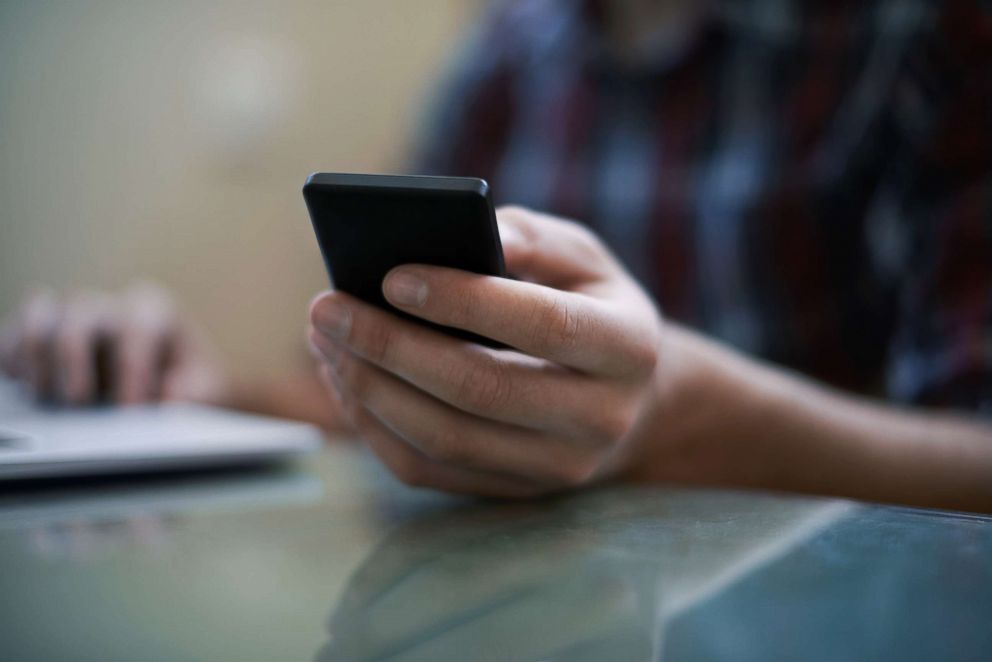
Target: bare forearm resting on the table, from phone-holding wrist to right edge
<point x="754" y="426"/>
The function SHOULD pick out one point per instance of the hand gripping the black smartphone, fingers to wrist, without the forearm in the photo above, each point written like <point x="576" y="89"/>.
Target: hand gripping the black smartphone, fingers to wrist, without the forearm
<point x="560" y="409"/>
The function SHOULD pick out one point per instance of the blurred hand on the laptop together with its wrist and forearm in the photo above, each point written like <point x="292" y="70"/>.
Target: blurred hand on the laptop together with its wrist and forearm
<point x="137" y="346"/>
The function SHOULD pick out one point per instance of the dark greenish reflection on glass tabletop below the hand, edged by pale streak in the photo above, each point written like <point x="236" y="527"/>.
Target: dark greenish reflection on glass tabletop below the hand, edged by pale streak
<point x="591" y="577"/>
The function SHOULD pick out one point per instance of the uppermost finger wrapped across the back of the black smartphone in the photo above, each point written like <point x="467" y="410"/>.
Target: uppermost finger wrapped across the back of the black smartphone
<point x="569" y="328"/>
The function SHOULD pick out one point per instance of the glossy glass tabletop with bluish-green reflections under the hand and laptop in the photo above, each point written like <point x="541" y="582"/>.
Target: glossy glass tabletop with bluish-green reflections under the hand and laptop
<point x="333" y="560"/>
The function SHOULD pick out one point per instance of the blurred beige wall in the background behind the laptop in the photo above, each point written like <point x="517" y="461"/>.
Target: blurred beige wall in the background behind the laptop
<point x="171" y="139"/>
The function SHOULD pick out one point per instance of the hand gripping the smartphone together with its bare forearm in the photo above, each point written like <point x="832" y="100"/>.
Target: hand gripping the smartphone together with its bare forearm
<point x="600" y="387"/>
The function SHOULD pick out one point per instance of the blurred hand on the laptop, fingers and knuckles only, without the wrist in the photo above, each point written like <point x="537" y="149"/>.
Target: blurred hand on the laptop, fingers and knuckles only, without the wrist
<point x="130" y="348"/>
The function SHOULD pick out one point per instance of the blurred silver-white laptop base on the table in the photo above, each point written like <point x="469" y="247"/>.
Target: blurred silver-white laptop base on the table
<point x="44" y="442"/>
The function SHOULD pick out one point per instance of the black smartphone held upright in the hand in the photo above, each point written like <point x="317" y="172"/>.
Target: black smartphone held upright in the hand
<point x="368" y="224"/>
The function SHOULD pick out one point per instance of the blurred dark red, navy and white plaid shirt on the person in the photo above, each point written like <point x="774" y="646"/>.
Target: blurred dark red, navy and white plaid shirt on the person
<point x="809" y="182"/>
